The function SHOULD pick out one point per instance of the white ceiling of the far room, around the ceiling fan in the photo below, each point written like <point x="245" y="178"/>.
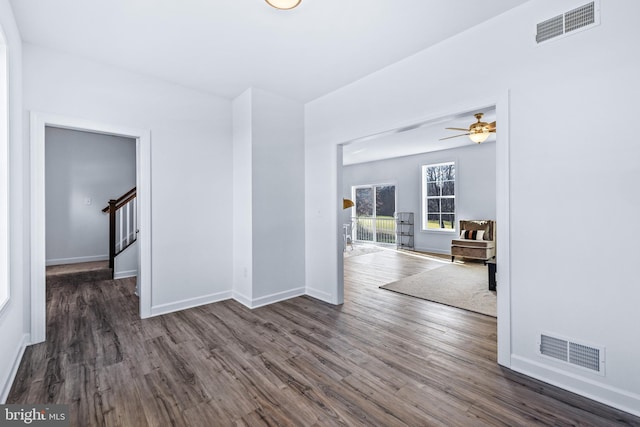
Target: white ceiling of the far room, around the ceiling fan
<point x="415" y="139"/>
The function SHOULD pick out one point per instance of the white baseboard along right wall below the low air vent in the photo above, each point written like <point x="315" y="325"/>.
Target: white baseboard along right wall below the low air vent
<point x="584" y="386"/>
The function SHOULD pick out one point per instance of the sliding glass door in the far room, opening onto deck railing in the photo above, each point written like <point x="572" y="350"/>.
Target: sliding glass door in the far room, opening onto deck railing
<point x="375" y="207"/>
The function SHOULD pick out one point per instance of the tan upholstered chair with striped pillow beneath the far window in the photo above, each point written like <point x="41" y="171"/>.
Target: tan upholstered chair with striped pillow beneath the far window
<point x="477" y="240"/>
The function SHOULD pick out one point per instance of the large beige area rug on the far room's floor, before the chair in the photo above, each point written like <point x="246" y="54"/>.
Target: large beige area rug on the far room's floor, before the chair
<point x="459" y="285"/>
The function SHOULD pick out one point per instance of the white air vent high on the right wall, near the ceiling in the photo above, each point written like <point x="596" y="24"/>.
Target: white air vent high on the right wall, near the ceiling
<point x="580" y="18"/>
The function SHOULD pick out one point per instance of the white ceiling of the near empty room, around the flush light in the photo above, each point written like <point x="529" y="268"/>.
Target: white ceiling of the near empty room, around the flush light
<point x="225" y="46"/>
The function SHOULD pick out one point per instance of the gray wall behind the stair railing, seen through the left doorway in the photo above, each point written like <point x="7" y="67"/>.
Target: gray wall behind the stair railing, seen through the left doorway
<point x="83" y="171"/>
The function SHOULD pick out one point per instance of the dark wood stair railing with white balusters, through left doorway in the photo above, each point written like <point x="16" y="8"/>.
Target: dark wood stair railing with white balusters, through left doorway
<point x="123" y="226"/>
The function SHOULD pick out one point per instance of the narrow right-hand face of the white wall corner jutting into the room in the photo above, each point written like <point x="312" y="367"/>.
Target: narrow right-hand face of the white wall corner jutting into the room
<point x="278" y="196"/>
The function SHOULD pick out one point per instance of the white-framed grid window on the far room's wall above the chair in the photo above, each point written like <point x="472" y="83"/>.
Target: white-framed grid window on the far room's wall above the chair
<point x="439" y="196"/>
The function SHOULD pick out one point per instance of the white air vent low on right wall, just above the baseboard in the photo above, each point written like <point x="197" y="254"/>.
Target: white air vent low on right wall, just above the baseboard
<point x="584" y="356"/>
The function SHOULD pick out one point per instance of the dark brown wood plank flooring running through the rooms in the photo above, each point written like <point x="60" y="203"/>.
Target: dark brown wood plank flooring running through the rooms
<point x="381" y="359"/>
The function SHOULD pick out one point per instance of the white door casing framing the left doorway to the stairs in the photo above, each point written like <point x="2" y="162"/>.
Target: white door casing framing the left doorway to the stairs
<point x="39" y="123"/>
